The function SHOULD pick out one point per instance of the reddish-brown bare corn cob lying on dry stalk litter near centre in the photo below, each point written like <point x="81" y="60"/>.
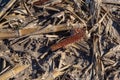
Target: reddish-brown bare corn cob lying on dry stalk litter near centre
<point x="76" y="37"/>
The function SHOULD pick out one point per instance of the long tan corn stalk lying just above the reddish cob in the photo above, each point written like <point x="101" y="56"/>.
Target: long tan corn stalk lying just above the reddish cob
<point x="34" y="30"/>
